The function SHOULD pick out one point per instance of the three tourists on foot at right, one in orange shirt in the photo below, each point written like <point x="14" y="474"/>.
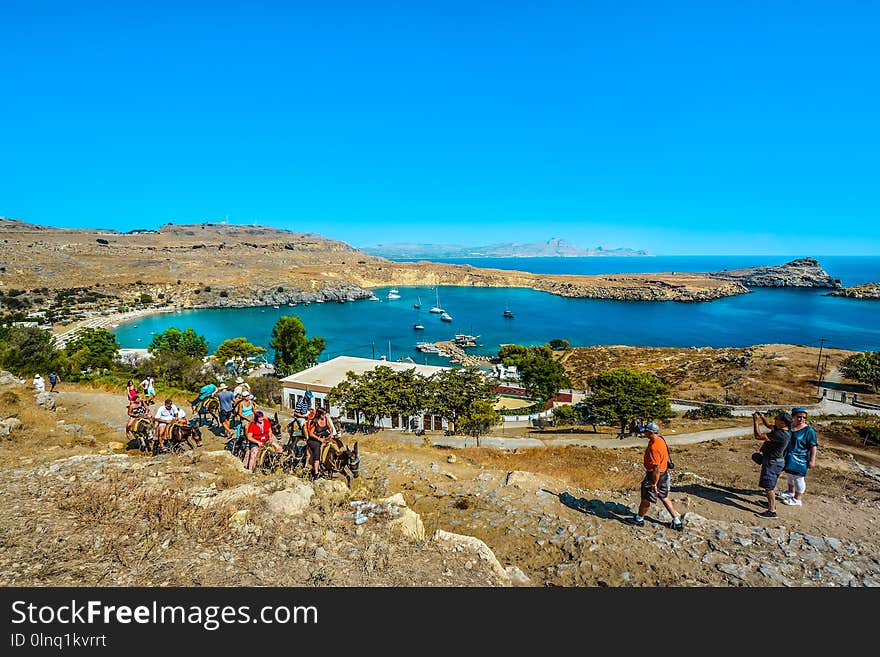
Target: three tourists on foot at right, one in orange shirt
<point x="790" y="446"/>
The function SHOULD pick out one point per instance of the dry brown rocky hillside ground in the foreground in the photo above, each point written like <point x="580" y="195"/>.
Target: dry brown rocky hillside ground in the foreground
<point x="82" y="511"/>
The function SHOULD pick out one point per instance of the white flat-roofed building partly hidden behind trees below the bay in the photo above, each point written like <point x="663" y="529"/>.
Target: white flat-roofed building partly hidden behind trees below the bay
<point x="323" y="377"/>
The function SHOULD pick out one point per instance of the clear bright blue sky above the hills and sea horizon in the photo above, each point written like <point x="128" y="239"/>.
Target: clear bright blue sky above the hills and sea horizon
<point x="680" y="127"/>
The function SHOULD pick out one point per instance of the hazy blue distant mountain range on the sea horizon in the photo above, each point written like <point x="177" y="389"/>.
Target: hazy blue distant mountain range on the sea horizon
<point x="552" y="248"/>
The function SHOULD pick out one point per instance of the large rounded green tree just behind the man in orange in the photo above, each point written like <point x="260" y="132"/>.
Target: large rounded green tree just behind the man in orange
<point x="622" y="395"/>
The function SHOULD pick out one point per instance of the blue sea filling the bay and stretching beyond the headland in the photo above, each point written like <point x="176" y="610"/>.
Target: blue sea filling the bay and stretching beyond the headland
<point x="384" y="328"/>
